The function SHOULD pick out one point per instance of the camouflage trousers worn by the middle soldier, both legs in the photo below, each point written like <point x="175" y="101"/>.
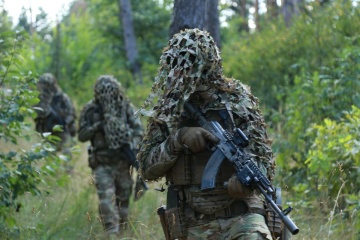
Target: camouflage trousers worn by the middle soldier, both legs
<point x="114" y="185"/>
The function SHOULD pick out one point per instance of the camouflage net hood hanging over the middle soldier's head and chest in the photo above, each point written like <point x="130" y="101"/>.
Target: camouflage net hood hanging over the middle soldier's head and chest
<point x="109" y="94"/>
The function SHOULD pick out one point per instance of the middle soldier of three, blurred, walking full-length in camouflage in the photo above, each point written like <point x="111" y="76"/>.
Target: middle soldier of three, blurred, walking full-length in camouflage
<point x="109" y="123"/>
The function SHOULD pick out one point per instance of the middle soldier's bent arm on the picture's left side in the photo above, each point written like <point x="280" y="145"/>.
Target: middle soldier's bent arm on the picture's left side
<point x="87" y="127"/>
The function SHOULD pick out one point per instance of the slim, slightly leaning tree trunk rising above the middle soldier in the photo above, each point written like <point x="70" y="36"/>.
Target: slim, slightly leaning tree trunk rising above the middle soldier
<point x="125" y="16"/>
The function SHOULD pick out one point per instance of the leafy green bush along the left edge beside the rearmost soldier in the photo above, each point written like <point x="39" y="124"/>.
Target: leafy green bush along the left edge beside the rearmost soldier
<point x="21" y="170"/>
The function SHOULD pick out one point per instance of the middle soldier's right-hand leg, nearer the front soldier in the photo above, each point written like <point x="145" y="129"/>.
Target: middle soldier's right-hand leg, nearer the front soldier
<point x="123" y="184"/>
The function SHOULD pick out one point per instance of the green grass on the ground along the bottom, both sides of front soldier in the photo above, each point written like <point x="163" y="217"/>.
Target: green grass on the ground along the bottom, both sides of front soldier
<point x="70" y="212"/>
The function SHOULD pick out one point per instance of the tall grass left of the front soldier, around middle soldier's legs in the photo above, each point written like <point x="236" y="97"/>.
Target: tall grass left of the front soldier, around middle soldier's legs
<point x="71" y="211"/>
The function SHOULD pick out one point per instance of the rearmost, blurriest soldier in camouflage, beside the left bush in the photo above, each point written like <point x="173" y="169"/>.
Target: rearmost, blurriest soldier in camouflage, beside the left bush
<point x="55" y="108"/>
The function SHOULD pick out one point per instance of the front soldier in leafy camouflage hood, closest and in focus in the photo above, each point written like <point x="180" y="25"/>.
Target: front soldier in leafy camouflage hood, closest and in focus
<point x="175" y="146"/>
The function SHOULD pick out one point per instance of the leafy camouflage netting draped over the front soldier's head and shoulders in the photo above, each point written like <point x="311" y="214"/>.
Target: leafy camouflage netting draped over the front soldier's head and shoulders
<point x="191" y="62"/>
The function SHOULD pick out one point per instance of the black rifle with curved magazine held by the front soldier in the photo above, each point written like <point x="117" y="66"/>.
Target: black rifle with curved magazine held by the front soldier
<point x="231" y="147"/>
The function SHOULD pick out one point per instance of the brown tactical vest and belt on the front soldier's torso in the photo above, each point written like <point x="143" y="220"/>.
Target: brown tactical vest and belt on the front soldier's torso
<point x="188" y="203"/>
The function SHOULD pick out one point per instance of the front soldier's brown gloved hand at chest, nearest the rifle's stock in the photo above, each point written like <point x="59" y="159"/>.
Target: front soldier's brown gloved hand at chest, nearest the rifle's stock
<point x="195" y="138"/>
